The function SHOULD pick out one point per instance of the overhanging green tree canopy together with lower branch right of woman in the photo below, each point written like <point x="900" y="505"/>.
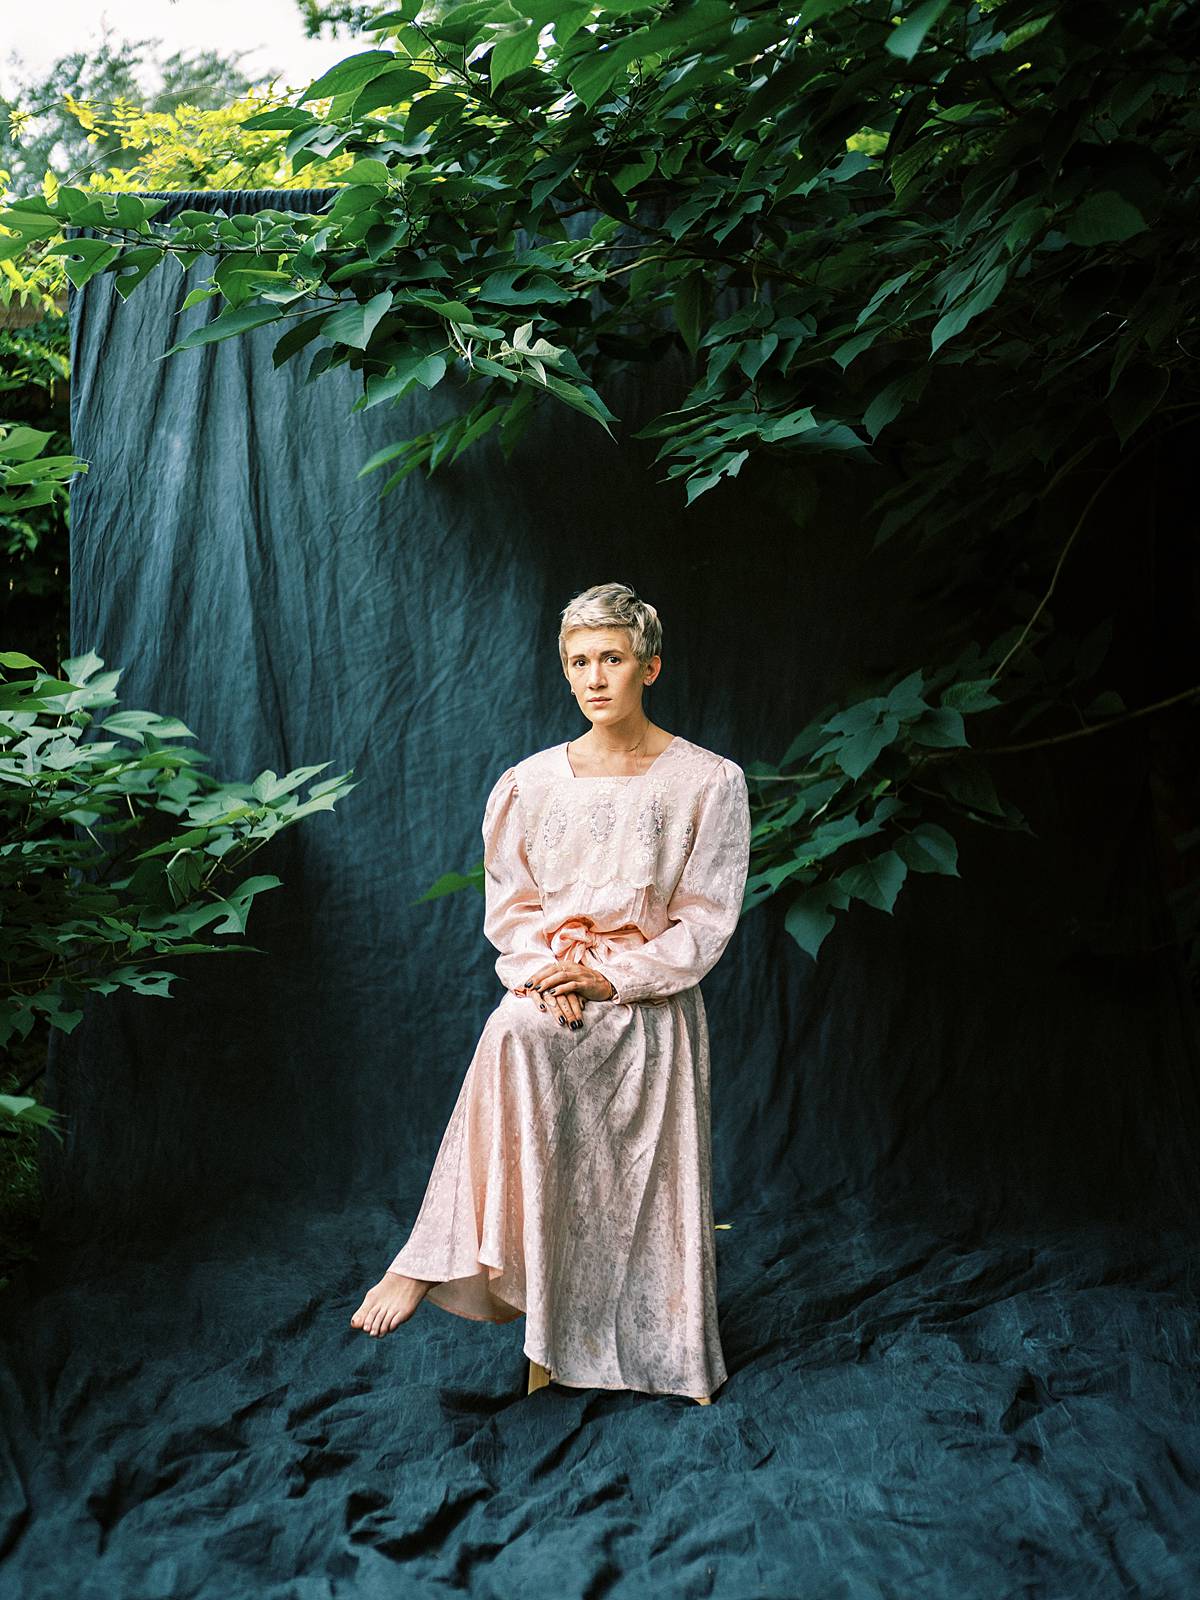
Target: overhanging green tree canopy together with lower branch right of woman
<point x="948" y="244"/>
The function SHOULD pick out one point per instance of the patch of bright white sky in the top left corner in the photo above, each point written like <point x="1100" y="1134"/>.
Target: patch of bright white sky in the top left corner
<point x="270" y="31"/>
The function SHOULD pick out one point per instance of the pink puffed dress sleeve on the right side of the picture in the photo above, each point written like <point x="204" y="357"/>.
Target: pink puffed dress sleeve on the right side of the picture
<point x="706" y="903"/>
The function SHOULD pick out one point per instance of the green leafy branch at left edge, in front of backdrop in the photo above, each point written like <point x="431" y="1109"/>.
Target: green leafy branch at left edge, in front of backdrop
<point x="121" y="854"/>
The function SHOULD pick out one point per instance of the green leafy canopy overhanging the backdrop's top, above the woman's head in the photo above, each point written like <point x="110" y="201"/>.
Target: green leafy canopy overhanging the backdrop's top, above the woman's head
<point x="962" y="180"/>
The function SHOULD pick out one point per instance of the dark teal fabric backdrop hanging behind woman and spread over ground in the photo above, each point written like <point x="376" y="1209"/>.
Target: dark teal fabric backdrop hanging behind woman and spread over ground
<point x="958" y="1158"/>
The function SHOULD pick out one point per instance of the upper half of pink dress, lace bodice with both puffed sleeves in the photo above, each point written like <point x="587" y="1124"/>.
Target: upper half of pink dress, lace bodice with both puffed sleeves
<point x="662" y="858"/>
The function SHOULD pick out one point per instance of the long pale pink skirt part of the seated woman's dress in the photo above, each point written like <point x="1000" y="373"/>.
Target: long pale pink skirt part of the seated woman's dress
<point x="574" y="1185"/>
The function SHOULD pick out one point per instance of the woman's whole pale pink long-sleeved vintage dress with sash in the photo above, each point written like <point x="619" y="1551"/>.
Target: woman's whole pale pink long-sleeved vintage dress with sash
<point x="574" y="1180"/>
